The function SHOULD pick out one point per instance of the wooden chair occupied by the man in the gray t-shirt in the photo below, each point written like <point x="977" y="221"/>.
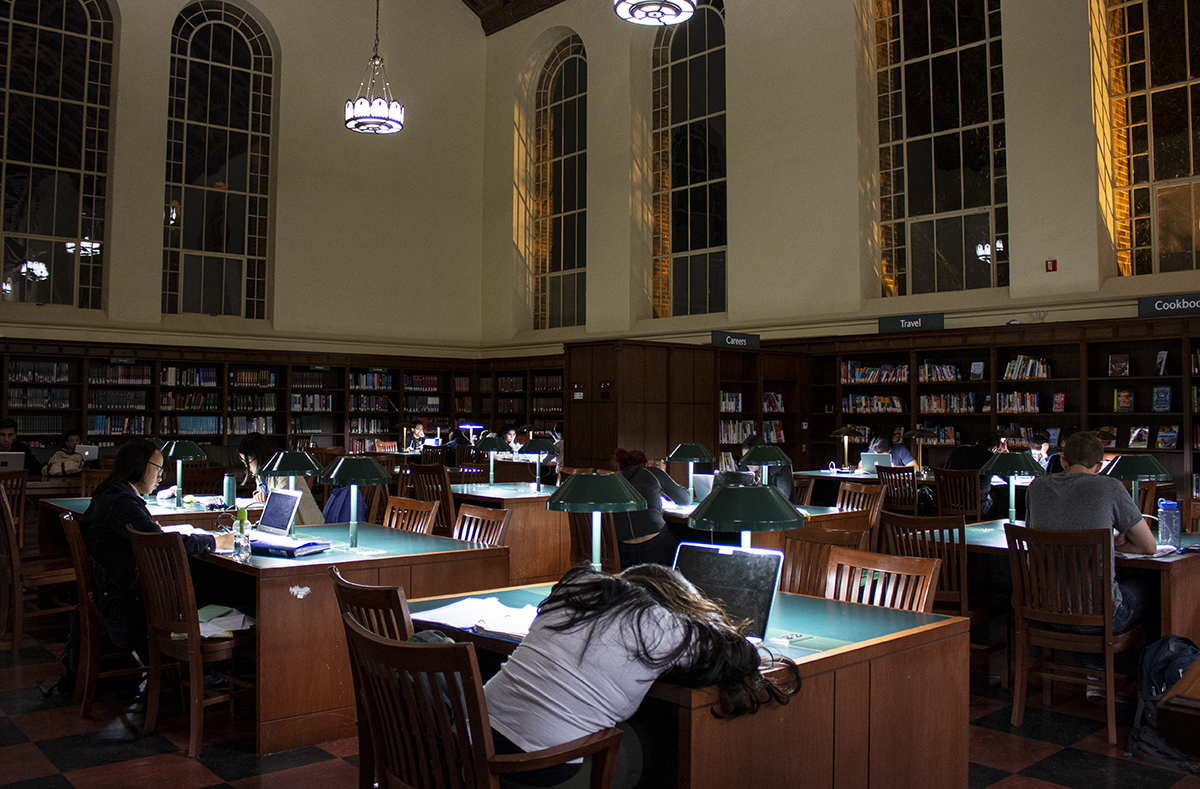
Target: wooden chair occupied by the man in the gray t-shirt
<point x="1054" y="575"/>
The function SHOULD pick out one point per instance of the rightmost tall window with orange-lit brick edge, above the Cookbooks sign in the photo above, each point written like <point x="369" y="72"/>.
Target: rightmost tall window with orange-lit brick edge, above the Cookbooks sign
<point x="1155" y="52"/>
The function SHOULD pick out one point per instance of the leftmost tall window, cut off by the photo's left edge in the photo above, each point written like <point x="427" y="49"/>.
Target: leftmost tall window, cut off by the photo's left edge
<point x="58" y="61"/>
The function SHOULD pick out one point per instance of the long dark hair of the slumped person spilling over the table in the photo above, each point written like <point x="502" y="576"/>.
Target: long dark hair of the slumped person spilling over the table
<point x="716" y="651"/>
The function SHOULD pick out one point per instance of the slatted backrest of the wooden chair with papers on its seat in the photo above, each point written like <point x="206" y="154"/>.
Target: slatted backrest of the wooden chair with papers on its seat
<point x="166" y="586"/>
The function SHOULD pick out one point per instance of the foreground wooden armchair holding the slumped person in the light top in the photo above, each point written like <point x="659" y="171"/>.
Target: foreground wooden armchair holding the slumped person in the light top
<point x="418" y="695"/>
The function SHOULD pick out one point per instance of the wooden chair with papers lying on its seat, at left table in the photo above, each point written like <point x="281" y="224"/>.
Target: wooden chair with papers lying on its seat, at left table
<point x="175" y="631"/>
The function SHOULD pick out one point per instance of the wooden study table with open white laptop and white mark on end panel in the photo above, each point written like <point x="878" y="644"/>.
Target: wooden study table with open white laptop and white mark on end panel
<point x="304" y="690"/>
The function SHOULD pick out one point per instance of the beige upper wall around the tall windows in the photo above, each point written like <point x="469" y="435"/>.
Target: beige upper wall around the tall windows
<point x="417" y="243"/>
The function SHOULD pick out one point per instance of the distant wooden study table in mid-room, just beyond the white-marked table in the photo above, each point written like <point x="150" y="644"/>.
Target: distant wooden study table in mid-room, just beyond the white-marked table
<point x="539" y="540"/>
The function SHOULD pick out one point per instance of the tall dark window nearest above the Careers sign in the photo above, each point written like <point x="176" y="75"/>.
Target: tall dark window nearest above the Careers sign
<point x="689" y="208"/>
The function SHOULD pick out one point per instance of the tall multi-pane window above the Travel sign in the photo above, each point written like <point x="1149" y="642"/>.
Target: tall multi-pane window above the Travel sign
<point x="944" y="215"/>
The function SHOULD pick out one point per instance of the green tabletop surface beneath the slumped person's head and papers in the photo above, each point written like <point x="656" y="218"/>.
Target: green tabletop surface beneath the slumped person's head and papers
<point x="823" y="624"/>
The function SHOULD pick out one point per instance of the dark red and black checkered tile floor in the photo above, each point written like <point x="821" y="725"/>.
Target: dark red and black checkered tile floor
<point x="45" y="745"/>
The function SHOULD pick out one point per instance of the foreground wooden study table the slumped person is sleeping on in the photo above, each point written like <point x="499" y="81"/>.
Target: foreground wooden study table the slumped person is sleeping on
<point x="884" y="703"/>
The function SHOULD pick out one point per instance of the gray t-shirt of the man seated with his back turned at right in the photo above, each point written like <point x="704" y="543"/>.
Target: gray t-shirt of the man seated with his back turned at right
<point x="1079" y="502"/>
